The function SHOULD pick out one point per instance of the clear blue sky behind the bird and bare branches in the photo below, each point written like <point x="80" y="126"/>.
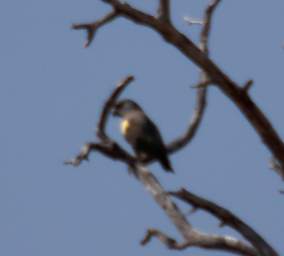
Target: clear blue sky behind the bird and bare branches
<point x="51" y="93"/>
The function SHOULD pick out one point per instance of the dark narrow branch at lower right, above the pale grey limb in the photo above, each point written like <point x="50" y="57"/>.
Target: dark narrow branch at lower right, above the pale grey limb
<point x="227" y="218"/>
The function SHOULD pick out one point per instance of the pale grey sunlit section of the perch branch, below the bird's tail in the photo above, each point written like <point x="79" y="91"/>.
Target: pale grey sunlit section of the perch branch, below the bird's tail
<point x="193" y="237"/>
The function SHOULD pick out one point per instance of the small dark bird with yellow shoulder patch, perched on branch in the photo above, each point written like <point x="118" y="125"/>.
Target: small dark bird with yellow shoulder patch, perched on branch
<point x="141" y="133"/>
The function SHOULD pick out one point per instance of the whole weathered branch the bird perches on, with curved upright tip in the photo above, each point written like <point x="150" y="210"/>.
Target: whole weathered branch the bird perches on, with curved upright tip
<point x="111" y="149"/>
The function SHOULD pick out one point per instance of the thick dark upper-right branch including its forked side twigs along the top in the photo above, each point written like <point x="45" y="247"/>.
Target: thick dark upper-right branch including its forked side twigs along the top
<point x="199" y="55"/>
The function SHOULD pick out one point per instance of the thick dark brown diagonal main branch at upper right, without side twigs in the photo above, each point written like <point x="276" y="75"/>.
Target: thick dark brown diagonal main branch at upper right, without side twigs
<point x="233" y="91"/>
